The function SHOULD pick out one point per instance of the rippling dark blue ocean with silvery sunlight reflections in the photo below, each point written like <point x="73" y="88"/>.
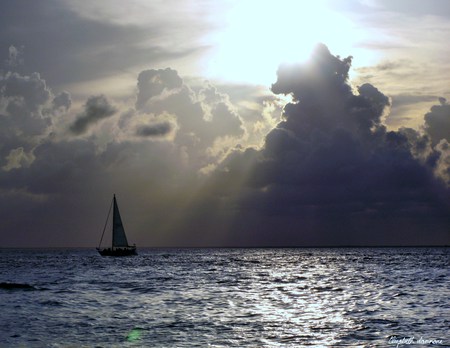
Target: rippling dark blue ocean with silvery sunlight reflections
<point x="230" y="297"/>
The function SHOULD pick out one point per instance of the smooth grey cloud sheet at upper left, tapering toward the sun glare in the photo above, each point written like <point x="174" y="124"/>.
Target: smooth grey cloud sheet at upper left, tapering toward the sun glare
<point x="65" y="47"/>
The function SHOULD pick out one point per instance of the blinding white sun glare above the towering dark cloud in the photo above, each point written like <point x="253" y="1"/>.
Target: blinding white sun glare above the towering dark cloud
<point x="260" y="35"/>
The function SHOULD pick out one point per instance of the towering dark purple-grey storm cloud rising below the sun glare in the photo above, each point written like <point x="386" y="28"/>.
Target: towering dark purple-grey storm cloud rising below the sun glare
<point x="331" y="173"/>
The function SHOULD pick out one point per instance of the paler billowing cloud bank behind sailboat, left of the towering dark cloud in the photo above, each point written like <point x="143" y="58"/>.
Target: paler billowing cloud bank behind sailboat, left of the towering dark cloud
<point x="155" y="152"/>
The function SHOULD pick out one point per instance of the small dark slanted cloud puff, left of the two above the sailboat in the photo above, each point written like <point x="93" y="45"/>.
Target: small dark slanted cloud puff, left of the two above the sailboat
<point x="95" y="109"/>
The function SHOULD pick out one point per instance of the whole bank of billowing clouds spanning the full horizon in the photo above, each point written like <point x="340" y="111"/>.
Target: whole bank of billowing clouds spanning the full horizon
<point x="178" y="157"/>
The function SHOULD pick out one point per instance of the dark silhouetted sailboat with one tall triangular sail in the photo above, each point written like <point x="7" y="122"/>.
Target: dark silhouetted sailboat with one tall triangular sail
<point x="119" y="245"/>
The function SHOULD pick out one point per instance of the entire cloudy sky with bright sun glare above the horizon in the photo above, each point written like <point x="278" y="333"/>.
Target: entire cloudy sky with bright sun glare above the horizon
<point x="225" y="123"/>
